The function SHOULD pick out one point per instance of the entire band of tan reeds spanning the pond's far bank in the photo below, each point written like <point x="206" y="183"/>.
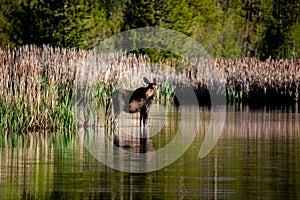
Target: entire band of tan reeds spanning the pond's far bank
<point x="37" y="83"/>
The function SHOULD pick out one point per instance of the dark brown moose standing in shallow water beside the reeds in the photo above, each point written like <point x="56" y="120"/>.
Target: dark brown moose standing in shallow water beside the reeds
<point x="139" y="100"/>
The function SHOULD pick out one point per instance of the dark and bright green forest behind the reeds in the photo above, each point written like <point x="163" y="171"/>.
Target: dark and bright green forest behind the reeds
<point x="228" y="29"/>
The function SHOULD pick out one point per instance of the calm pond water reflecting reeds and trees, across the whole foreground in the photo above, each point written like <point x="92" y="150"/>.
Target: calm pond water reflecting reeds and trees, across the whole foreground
<point x="256" y="157"/>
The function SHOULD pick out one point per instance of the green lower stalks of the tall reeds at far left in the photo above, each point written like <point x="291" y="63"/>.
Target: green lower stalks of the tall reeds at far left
<point x="17" y="115"/>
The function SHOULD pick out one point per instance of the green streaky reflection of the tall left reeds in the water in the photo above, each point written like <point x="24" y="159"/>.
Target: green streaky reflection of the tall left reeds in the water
<point x="27" y="163"/>
